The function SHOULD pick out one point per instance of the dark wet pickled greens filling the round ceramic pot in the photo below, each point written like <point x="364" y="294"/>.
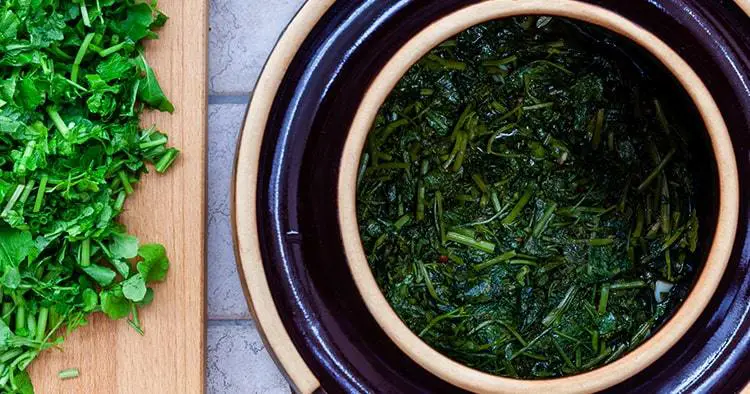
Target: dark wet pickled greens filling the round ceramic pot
<point x="524" y="200"/>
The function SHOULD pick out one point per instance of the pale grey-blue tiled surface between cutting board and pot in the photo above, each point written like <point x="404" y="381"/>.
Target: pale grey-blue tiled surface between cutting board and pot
<point x="242" y="35"/>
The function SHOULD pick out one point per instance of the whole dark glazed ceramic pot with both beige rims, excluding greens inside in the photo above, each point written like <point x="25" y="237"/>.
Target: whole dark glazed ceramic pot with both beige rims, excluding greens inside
<point x="309" y="286"/>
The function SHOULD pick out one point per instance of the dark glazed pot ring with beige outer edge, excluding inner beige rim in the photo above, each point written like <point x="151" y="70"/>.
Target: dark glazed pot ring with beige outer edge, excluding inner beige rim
<point x="287" y="213"/>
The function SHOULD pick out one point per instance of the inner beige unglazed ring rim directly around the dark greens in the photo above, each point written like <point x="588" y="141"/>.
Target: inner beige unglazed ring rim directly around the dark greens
<point x="684" y="317"/>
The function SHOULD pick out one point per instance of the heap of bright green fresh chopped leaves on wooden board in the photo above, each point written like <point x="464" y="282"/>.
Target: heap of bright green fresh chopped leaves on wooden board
<point x="74" y="83"/>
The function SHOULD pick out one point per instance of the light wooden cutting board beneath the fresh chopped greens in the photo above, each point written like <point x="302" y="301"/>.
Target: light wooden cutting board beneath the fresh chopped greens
<point x="169" y="209"/>
